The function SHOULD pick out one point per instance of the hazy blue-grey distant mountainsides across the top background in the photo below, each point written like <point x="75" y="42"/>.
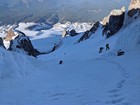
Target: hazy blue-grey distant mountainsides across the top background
<point x="14" y="11"/>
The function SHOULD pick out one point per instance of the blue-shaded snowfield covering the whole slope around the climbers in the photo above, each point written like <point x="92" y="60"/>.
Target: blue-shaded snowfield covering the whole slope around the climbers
<point x="85" y="77"/>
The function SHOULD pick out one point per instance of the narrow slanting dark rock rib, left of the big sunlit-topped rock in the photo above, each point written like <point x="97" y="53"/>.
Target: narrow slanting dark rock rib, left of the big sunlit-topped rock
<point x="88" y="33"/>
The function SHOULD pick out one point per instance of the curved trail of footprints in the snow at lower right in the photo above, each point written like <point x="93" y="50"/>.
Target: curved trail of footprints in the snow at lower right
<point x="116" y="97"/>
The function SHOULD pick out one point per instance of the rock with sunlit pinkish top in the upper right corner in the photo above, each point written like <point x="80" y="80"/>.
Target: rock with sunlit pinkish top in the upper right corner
<point x="134" y="8"/>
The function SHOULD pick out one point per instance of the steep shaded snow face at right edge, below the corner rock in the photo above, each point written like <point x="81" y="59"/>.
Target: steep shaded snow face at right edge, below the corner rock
<point x="129" y="36"/>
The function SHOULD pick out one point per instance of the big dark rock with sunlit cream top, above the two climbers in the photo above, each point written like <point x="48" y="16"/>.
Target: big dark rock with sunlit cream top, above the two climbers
<point x="114" y="22"/>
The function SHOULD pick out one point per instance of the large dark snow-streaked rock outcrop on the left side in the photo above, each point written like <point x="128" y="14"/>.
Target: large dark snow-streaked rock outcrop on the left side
<point x="21" y="43"/>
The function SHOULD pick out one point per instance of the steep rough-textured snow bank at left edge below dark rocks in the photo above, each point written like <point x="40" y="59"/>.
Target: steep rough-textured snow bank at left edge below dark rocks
<point x="14" y="65"/>
